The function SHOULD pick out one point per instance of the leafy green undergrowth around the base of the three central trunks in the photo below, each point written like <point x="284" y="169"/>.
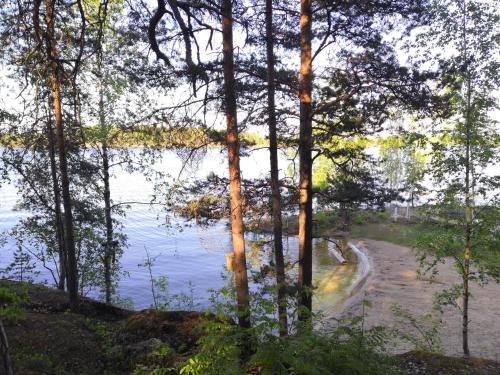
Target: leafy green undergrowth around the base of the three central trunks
<point x="347" y="349"/>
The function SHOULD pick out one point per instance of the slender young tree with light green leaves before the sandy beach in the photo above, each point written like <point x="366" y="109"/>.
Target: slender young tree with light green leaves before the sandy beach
<point x="465" y="192"/>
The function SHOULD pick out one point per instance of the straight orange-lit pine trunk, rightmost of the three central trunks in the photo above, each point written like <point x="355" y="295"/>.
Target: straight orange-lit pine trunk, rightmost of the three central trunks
<point x="305" y="159"/>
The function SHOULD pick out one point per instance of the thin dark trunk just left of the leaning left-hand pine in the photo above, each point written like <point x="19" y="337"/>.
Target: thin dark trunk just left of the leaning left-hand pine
<point x="57" y="207"/>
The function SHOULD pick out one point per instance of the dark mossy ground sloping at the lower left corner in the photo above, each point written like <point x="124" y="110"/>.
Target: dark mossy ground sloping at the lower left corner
<point x="47" y="338"/>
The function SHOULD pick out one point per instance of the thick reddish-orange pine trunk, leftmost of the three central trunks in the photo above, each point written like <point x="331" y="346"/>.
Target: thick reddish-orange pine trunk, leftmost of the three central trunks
<point x="233" y="148"/>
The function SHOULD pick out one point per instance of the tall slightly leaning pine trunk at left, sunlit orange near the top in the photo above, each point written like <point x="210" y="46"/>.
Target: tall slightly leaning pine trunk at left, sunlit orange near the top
<point x="53" y="60"/>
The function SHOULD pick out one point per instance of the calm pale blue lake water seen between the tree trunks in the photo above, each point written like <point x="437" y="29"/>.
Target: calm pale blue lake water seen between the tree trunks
<point x="192" y="257"/>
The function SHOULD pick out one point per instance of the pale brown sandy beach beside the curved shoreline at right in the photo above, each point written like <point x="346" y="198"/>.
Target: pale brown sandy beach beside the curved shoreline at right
<point x="393" y="280"/>
